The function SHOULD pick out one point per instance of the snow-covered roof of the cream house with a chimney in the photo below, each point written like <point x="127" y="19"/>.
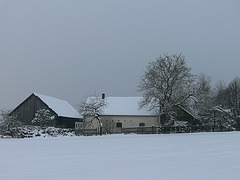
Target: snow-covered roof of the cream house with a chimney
<point x="125" y="106"/>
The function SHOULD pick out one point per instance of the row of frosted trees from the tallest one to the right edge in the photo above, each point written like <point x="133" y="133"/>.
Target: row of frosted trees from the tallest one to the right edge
<point x="168" y="83"/>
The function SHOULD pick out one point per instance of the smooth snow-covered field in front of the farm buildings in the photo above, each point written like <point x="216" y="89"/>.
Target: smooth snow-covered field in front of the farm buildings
<point x="117" y="157"/>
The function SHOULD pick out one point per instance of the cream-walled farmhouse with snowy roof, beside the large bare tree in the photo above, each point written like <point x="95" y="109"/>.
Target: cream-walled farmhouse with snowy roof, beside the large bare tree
<point x="123" y="112"/>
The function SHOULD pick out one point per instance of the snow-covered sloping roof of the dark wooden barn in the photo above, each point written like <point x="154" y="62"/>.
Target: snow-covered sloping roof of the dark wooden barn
<point x="60" y="107"/>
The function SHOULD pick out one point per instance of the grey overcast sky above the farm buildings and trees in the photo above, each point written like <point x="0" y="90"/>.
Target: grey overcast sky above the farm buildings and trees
<point x="73" y="48"/>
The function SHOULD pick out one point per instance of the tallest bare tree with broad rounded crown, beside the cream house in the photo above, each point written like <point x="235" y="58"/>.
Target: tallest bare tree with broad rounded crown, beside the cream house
<point x="167" y="82"/>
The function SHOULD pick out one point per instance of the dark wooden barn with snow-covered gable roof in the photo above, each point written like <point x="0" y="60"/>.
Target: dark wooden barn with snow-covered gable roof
<point x="65" y="114"/>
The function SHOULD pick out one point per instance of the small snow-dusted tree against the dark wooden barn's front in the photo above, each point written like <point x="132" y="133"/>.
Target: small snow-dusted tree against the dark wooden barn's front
<point x="43" y="118"/>
